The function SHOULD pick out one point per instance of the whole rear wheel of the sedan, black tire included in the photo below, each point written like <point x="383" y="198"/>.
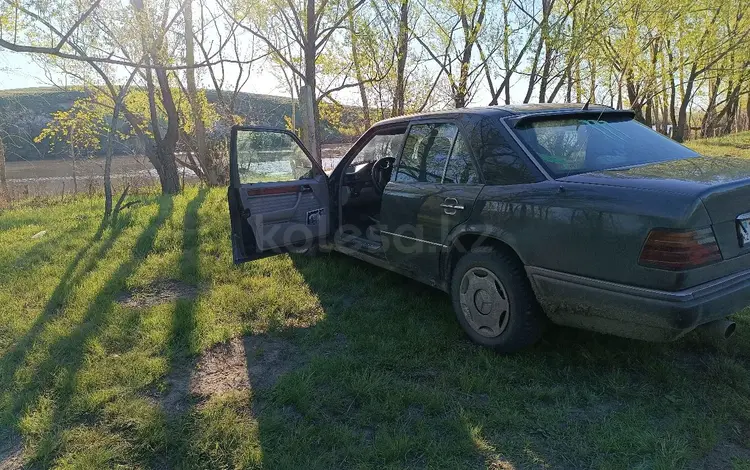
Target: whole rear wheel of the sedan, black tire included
<point x="523" y="322"/>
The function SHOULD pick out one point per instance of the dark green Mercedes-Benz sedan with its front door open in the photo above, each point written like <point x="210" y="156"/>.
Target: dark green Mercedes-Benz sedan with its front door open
<point x="525" y="214"/>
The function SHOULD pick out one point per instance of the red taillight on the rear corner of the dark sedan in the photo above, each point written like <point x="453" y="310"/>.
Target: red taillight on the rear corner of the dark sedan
<point x="678" y="250"/>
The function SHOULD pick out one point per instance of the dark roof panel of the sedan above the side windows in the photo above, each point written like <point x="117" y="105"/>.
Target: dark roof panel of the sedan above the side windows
<point x="498" y="111"/>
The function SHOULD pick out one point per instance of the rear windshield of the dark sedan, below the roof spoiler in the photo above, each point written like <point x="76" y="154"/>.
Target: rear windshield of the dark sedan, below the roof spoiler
<point x="576" y="145"/>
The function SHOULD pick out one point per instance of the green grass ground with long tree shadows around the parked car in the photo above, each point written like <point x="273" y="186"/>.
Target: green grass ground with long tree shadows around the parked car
<point x="141" y="345"/>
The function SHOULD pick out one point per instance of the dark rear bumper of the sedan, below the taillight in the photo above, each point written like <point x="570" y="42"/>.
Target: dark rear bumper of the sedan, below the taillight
<point x="636" y="312"/>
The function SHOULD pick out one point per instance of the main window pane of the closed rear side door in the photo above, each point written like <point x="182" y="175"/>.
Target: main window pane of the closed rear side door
<point x="425" y="153"/>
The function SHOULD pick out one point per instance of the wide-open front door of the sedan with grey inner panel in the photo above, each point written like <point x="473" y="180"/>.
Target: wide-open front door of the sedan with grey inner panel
<point x="278" y="194"/>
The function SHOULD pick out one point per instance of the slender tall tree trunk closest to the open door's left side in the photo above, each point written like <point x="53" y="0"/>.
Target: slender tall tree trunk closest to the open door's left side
<point x="204" y="159"/>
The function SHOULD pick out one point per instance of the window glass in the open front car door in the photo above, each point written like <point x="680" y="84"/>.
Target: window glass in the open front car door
<point x="268" y="156"/>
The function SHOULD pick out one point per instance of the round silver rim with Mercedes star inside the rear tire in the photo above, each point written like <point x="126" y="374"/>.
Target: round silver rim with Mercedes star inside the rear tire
<point x="484" y="302"/>
